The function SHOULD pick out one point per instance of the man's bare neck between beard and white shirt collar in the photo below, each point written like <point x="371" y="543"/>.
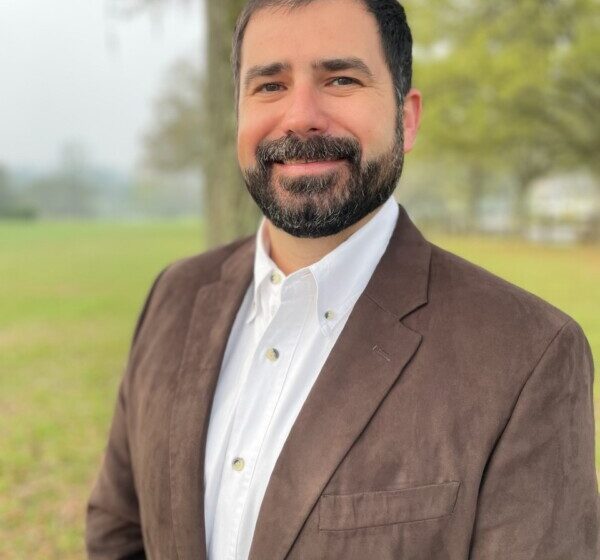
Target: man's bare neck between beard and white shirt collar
<point x="291" y="253"/>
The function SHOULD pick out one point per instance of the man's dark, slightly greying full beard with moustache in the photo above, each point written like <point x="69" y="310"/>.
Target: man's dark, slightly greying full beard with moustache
<point x="322" y="204"/>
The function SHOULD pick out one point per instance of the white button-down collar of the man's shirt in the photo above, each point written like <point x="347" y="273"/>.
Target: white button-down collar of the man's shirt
<point x="340" y="276"/>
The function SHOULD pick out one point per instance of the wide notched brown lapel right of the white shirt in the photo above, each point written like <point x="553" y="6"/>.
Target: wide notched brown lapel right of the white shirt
<point x="366" y="361"/>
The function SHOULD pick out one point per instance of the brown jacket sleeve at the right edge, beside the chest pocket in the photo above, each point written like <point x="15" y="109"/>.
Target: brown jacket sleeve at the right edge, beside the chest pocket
<point x="538" y="497"/>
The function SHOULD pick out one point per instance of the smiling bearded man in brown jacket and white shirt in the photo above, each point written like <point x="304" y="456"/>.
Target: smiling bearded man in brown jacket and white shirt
<point x="336" y="386"/>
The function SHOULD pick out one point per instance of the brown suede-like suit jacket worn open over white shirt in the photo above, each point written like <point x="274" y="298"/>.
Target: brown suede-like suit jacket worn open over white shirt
<point x="452" y="420"/>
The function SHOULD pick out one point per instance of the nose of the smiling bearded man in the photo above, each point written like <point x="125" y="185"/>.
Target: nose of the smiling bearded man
<point x="304" y="115"/>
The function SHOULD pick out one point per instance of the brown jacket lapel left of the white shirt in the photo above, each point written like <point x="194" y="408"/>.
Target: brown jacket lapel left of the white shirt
<point x="212" y="318"/>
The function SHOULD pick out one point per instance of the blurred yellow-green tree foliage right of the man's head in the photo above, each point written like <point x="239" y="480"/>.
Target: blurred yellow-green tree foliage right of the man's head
<point x="510" y="86"/>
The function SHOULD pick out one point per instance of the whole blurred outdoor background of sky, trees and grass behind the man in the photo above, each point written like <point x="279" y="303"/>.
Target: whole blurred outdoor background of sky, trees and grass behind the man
<point x="117" y="156"/>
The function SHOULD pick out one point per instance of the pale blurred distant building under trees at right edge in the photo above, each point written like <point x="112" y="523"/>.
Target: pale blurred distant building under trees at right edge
<point x="564" y="209"/>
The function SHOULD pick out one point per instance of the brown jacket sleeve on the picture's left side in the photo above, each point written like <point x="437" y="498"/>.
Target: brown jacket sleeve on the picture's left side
<point x="113" y="528"/>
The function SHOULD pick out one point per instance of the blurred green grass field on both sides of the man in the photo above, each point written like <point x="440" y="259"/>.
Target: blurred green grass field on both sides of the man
<point x="69" y="296"/>
